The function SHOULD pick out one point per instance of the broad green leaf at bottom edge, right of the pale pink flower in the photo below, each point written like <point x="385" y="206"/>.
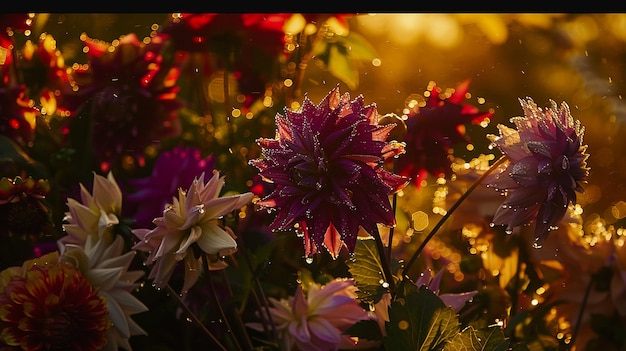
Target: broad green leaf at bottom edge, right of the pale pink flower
<point x="420" y="321"/>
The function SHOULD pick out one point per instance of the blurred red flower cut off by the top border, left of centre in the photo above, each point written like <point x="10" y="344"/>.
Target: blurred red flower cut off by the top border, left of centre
<point x="245" y="45"/>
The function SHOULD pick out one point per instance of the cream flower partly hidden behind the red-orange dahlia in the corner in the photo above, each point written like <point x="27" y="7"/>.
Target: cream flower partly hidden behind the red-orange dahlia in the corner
<point x="106" y="268"/>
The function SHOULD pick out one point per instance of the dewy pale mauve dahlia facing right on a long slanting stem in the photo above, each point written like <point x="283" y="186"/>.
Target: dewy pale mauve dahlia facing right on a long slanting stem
<point x="546" y="165"/>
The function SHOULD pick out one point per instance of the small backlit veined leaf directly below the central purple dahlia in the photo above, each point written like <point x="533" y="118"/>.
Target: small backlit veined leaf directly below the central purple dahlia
<point x="366" y="269"/>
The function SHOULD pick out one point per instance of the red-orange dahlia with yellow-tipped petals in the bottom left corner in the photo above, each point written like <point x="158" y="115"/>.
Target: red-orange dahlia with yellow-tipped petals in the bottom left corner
<point x="46" y="305"/>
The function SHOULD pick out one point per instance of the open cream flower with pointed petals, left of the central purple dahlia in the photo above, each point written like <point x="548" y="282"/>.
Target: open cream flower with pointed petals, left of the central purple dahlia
<point x="192" y="218"/>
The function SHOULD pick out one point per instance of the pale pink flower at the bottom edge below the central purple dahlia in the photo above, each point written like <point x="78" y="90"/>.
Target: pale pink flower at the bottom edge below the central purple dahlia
<point x="315" y="321"/>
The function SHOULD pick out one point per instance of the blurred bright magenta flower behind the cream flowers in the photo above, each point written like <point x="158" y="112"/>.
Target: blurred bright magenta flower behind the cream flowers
<point x="158" y="189"/>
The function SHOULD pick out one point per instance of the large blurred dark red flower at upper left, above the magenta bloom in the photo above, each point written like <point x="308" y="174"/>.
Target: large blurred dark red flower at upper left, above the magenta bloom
<point x="132" y="97"/>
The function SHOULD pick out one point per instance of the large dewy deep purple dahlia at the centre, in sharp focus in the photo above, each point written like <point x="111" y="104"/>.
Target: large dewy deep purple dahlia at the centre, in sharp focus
<point x="327" y="165"/>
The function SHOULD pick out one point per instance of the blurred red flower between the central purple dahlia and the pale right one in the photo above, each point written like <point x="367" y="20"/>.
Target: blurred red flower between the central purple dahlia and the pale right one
<point x="433" y="130"/>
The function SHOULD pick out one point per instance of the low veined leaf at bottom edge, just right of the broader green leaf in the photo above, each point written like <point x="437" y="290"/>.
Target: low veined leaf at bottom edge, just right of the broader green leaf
<point x="490" y="338"/>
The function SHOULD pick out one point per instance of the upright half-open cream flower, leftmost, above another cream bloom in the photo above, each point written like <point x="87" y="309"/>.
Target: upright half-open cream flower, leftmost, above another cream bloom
<point x="95" y="214"/>
